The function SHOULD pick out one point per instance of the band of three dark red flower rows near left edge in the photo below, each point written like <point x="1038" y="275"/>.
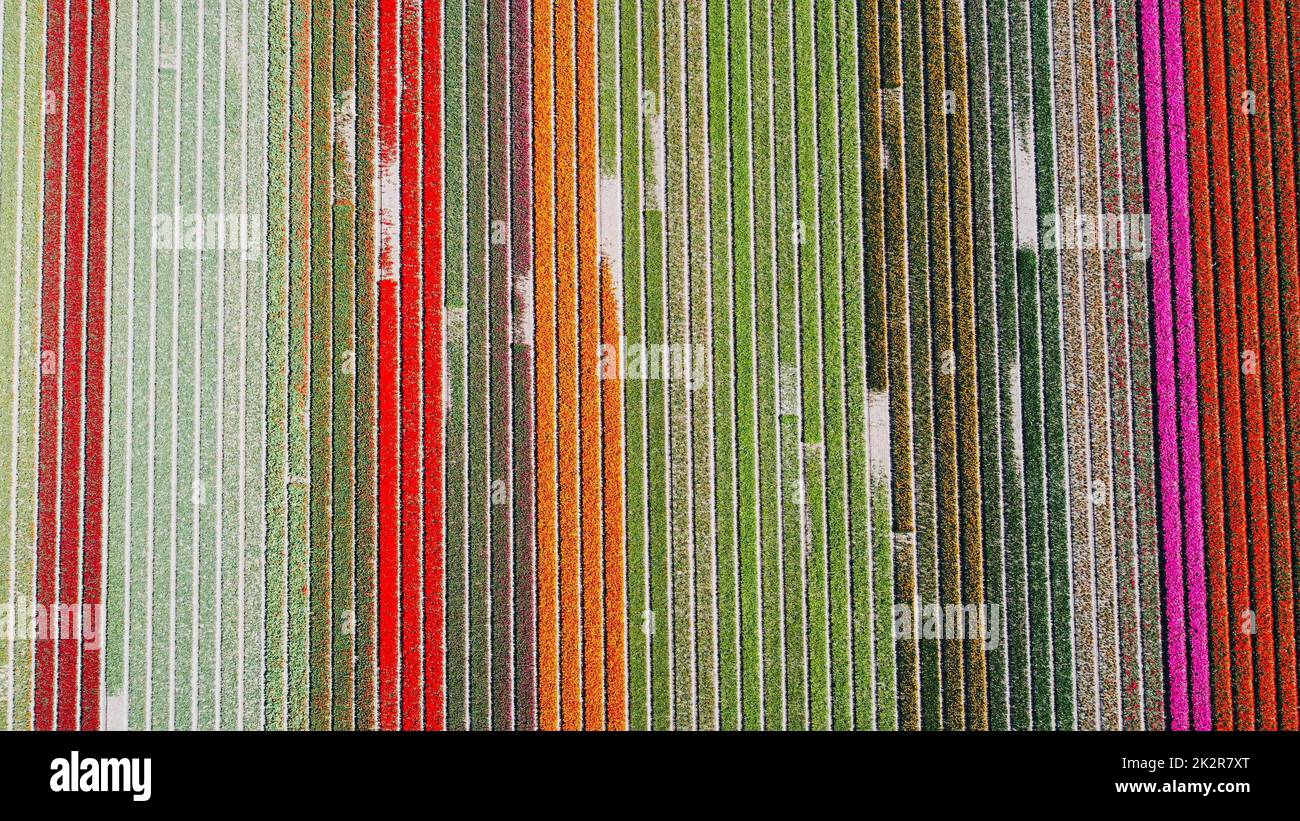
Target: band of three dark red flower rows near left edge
<point x="71" y="467"/>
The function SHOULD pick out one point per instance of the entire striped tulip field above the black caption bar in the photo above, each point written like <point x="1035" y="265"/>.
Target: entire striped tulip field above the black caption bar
<point x="649" y="364"/>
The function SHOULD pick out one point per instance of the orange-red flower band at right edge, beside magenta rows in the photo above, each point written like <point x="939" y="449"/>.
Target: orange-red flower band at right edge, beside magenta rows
<point x="1241" y="64"/>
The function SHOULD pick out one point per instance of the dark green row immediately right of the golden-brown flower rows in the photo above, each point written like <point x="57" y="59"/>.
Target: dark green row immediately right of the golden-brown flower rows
<point x="989" y="215"/>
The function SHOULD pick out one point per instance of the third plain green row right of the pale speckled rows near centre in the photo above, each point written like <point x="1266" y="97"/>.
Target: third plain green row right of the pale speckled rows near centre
<point x="772" y="518"/>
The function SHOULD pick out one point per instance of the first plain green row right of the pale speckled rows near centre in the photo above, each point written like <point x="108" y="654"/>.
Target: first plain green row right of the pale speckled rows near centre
<point x="723" y="376"/>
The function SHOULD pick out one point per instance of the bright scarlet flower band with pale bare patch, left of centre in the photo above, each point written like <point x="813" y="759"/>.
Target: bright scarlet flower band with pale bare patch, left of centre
<point x="410" y="367"/>
